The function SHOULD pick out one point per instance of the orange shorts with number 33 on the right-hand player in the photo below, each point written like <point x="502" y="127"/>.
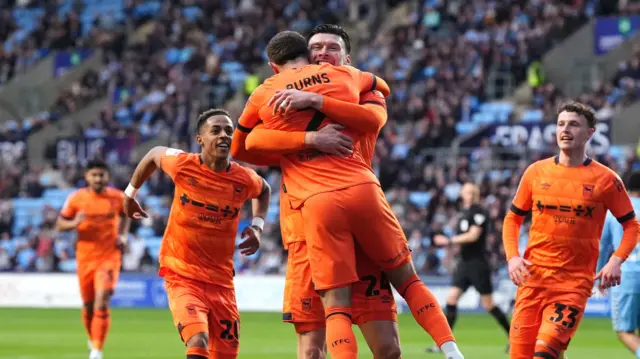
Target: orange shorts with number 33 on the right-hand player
<point x="541" y="314"/>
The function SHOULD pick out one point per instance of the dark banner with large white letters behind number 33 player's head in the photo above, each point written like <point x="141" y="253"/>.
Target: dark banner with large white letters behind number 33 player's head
<point x="539" y="136"/>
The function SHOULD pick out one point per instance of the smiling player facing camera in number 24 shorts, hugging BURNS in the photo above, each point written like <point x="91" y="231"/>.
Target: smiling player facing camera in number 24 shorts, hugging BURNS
<point x="374" y="309"/>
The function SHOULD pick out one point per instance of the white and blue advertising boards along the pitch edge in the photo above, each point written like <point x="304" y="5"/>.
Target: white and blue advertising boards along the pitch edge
<point x="253" y="293"/>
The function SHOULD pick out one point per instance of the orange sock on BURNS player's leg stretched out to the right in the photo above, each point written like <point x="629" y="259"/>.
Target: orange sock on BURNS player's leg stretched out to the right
<point x="426" y="310"/>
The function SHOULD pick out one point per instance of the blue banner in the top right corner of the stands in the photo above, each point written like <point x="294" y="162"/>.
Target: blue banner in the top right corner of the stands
<point x="610" y="32"/>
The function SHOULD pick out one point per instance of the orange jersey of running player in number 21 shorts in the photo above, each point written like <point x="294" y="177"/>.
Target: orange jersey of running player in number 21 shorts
<point x="200" y="238"/>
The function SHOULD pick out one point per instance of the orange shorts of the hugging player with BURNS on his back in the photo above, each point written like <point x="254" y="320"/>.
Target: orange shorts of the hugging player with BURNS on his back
<point x="333" y="219"/>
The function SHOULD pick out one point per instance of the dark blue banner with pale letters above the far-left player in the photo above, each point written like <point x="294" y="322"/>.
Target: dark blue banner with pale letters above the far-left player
<point x="72" y="150"/>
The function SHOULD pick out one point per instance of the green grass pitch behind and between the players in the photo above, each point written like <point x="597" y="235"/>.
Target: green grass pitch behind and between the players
<point x="138" y="333"/>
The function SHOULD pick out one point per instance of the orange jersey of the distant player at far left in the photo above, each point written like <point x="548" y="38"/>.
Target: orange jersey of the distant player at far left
<point x="98" y="233"/>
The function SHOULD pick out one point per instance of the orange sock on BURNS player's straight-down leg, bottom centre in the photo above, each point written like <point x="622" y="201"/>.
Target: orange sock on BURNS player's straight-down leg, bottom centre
<point x="341" y="342"/>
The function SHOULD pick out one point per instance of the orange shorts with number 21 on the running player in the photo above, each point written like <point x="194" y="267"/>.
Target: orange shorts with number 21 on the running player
<point x="199" y="307"/>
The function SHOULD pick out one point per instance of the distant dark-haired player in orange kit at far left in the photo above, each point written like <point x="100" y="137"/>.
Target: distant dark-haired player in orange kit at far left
<point x="97" y="215"/>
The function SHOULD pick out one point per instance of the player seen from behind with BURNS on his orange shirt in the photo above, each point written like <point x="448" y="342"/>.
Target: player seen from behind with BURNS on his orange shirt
<point x="340" y="197"/>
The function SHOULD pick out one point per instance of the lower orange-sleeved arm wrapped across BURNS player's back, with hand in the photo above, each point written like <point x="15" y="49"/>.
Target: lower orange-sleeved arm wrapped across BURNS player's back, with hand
<point x="329" y="140"/>
